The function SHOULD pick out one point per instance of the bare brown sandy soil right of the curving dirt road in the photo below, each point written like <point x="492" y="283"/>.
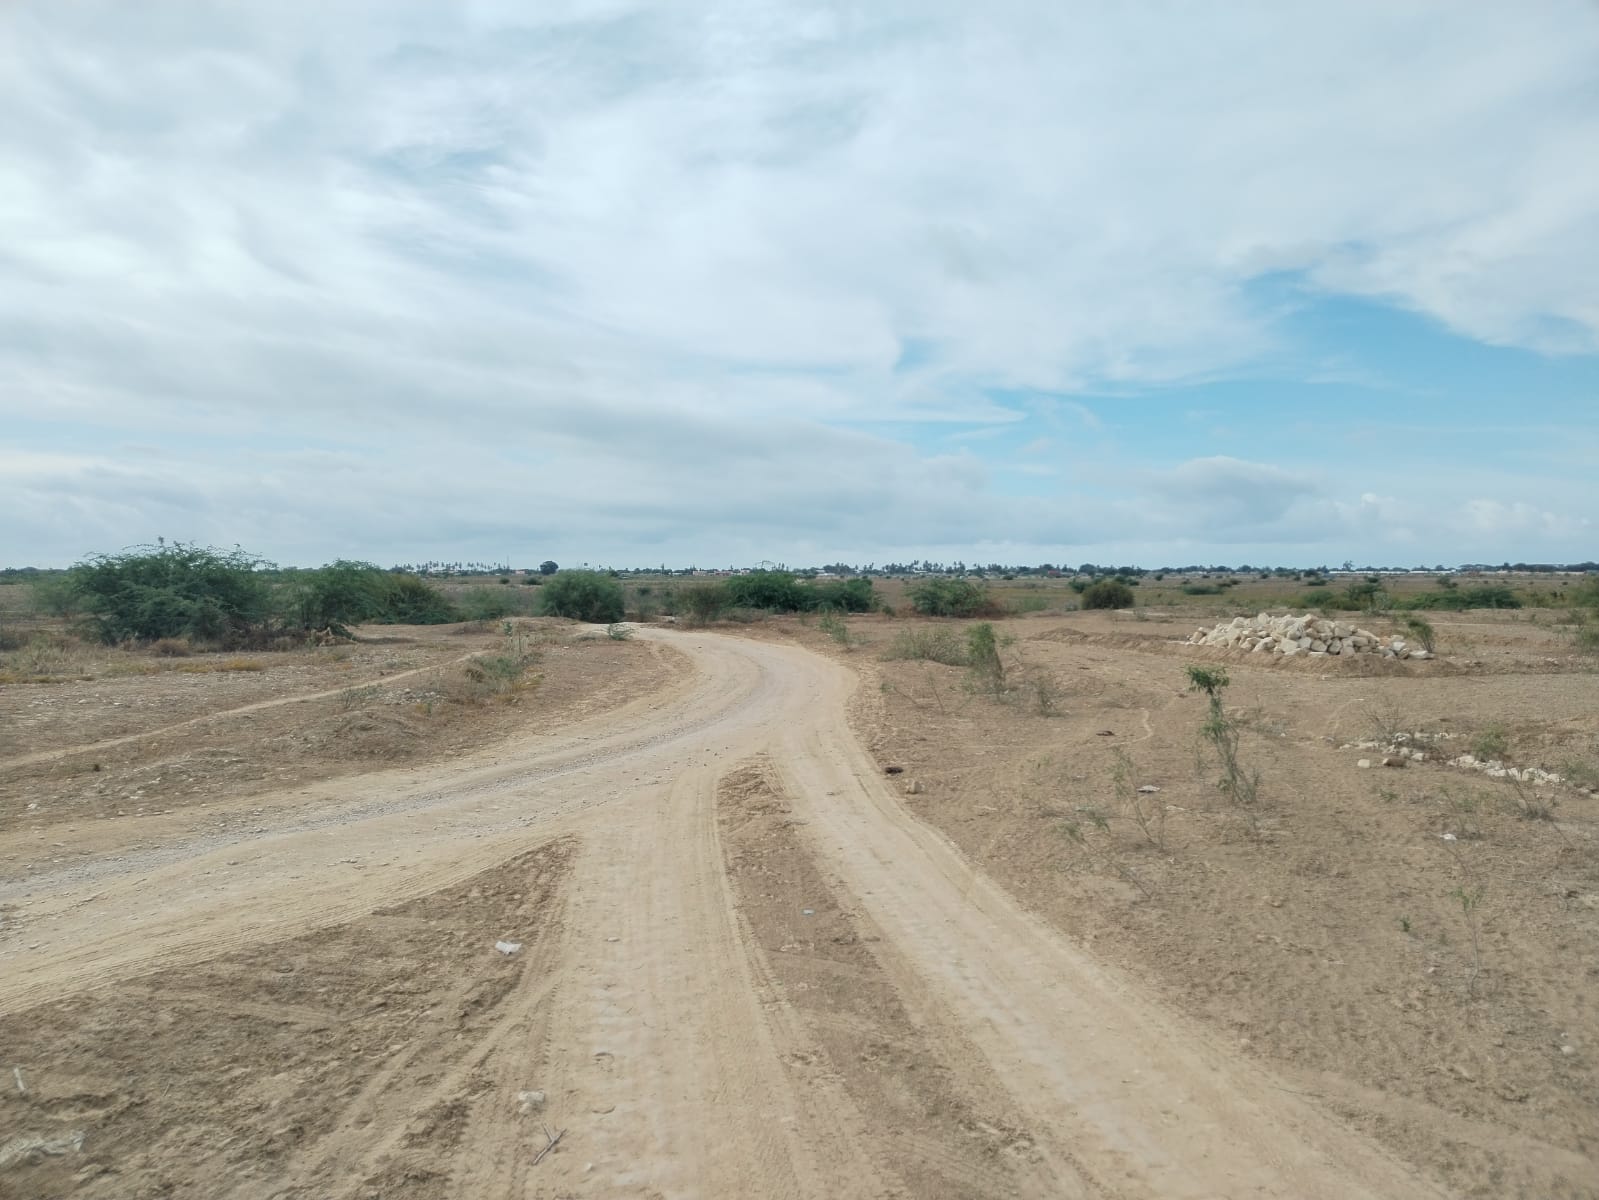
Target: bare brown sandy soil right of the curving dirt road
<point x="1333" y="948"/>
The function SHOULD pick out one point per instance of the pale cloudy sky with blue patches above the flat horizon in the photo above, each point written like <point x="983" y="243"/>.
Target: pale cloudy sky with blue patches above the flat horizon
<point x="724" y="282"/>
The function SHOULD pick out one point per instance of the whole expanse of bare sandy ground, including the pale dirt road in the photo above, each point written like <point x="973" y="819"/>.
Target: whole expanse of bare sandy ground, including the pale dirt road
<point x="751" y="962"/>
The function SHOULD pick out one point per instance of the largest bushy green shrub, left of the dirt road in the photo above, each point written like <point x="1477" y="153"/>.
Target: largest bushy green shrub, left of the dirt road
<point x="175" y="591"/>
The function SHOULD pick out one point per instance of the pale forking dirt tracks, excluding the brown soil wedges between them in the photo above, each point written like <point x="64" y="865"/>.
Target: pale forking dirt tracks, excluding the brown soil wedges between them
<point x="655" y="1023"/>
